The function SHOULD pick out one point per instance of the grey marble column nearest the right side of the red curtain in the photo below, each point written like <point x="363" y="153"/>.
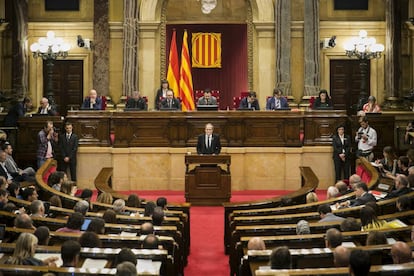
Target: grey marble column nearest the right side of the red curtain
<point x="283" y="44"/>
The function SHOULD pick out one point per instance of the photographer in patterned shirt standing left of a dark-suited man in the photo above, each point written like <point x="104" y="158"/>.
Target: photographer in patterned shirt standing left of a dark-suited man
<point x="46" y="138"/>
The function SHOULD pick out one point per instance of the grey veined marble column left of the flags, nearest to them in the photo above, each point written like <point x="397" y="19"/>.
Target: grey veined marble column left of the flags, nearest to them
<point x="131" y="34"/>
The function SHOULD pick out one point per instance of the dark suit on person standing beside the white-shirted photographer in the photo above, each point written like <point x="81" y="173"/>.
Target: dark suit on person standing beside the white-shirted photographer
<point x="339" y="148"/>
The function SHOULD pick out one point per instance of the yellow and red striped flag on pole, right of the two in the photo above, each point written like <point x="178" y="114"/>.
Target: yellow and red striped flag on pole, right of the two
<point x="186" y="80"/>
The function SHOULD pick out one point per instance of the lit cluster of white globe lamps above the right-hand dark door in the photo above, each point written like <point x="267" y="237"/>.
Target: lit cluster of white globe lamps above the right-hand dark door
<point x="363" y="47"/>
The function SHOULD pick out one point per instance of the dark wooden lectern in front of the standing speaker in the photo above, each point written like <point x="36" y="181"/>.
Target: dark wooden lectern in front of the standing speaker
<point x="207" y="183"/>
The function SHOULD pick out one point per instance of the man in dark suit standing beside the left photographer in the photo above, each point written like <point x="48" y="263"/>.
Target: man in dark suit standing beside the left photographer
<point x="69" y="147"/>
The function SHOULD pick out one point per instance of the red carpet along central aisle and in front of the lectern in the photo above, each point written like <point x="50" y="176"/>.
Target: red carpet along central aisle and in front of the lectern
<point x="207" y="230"/>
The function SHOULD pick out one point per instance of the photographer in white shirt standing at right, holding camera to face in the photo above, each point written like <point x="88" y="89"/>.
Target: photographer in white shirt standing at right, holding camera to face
<point x="366" y="137"/>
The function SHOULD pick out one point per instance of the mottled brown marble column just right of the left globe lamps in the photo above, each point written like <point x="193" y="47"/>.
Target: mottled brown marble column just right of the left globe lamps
<point x="101" y="47"/>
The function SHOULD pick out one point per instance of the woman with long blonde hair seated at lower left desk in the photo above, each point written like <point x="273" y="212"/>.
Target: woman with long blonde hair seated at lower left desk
<point x="25" y="250"/>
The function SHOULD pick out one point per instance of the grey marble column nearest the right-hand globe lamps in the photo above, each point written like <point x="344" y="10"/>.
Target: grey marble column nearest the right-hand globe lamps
<point x="311" y="48"/>
